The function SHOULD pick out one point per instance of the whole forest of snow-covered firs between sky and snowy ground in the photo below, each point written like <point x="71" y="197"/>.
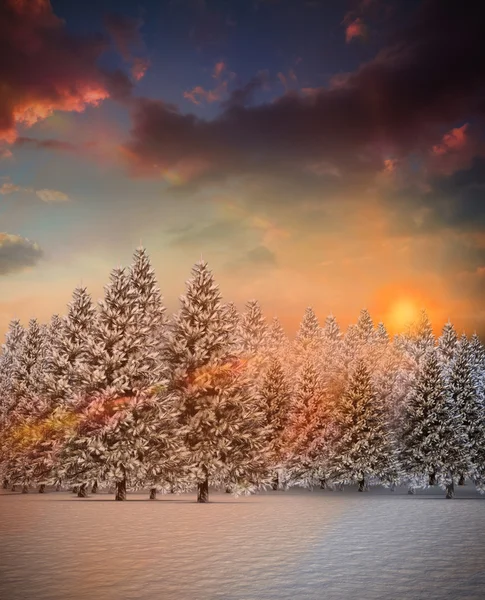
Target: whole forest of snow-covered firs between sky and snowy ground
<point x="119" y="395"/>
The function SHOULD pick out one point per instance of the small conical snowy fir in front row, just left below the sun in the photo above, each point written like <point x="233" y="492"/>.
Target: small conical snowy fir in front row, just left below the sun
<point x="364" y="452"/>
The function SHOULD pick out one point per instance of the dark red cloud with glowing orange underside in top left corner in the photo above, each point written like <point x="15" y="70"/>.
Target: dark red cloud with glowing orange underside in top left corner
<point x="50" y="68"/>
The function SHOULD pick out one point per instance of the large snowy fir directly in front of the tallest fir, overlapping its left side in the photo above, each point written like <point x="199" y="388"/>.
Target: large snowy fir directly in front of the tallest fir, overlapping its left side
<point x="120" y="358"/>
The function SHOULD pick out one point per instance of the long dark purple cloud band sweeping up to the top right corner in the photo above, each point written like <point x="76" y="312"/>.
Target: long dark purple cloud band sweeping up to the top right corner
<point x="400" y="101"/>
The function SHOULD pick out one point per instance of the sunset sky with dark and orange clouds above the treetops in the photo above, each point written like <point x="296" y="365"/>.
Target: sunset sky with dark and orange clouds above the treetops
<point x="324" y="153"/>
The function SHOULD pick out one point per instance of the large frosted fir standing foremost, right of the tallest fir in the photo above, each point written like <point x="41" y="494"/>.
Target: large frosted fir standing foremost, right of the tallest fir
<point x="221" y="421"/>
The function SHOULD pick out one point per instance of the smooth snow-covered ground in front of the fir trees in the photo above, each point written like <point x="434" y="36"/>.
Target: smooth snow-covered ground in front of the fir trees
<point x="272" y="546"/>
